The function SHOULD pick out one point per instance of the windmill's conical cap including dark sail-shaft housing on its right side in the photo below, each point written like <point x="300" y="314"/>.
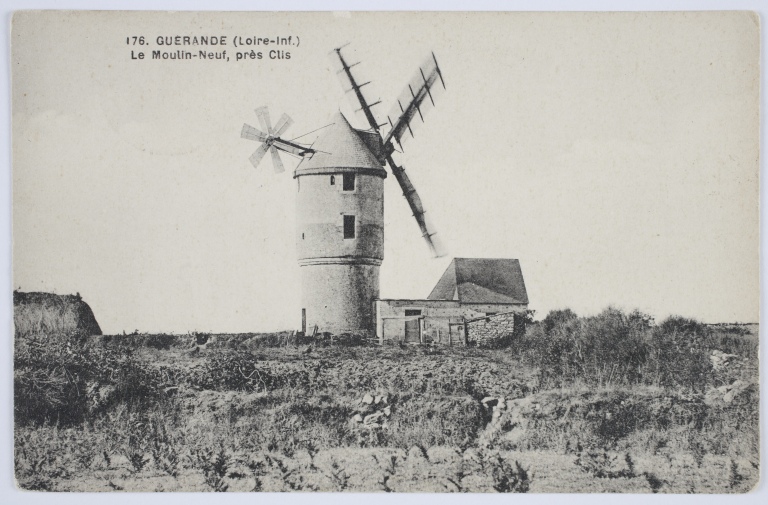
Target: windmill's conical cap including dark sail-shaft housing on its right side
<point x="341" y="148"/>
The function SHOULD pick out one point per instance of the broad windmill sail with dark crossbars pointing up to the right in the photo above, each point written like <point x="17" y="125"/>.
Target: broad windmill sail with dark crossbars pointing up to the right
<point x="415" y="100"/>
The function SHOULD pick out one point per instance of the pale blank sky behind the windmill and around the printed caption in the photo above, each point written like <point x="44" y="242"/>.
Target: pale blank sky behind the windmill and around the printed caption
<point x="614" y="155"/>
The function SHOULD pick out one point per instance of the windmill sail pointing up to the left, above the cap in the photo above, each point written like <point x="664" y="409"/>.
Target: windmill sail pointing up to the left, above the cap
<point x="358" y="91"/>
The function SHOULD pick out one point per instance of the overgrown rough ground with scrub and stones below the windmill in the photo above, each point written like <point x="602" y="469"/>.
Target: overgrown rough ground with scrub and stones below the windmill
<point x="611" y="403"/>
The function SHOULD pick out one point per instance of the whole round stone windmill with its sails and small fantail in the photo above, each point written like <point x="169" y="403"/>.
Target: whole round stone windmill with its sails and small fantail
<point x="340" y="199"/>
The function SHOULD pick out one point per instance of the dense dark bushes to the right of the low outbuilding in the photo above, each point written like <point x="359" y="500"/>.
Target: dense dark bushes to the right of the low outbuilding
<point x="618" y="348"/>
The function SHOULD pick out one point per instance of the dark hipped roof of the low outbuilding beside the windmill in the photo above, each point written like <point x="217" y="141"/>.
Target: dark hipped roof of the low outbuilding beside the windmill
<point x="481" y="280"/>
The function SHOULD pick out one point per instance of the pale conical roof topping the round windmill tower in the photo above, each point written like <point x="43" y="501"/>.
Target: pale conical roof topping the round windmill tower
<point x="340" y="146"/>
